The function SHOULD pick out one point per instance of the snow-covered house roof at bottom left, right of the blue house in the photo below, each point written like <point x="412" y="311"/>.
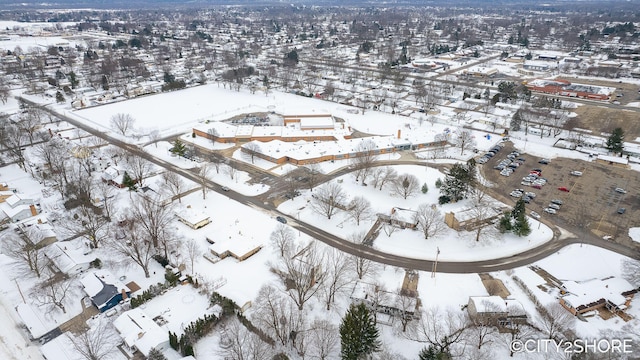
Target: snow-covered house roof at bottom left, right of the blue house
<point x="139" y="330"/>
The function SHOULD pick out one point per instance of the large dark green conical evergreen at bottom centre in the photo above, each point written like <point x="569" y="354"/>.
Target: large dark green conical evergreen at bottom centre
<point x="358" y="333"/>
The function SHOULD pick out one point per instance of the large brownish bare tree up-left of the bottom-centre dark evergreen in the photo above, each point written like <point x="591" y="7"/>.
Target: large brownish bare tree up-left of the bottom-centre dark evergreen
<point x="301" y="270"/>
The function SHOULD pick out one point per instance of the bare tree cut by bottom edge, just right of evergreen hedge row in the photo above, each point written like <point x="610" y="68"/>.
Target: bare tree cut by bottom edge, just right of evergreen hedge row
<point x="243" y="344"/>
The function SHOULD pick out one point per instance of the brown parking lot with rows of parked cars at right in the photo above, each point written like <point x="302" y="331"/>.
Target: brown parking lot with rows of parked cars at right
<point x="591" y="201"/>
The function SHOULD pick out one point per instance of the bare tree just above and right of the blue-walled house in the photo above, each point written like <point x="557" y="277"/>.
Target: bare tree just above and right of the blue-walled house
<point x="135" y="247"/>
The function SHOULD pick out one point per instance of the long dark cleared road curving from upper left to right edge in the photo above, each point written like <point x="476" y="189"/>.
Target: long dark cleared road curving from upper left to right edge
<point x="504" y="263"/>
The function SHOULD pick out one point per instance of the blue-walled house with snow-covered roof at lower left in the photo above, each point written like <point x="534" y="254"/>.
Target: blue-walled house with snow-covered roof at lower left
<point x="104" y="289"/>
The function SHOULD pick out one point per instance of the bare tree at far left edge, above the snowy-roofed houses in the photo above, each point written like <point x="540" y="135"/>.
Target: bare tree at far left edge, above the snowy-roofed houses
<point x="24" y="248"/>
